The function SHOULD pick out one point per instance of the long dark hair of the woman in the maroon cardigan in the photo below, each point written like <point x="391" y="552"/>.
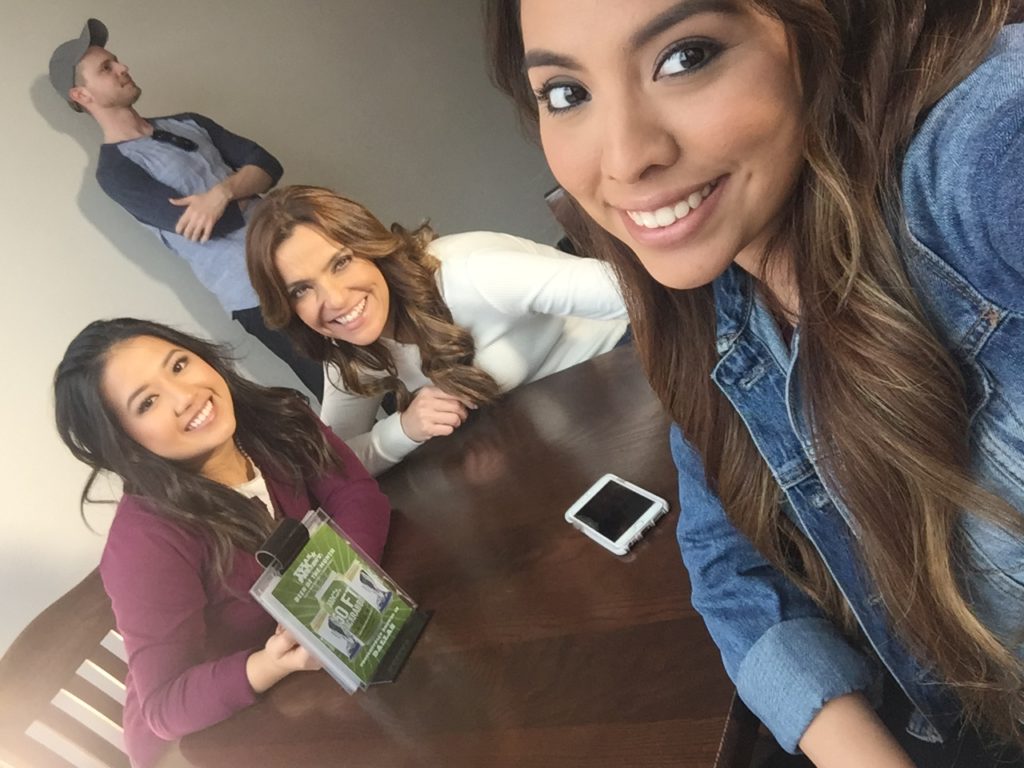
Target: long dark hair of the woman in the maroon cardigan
<point x="275" y="426"/>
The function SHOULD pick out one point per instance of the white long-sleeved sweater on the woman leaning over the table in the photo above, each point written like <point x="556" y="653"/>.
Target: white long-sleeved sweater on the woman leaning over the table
<point x="533" y="311"/>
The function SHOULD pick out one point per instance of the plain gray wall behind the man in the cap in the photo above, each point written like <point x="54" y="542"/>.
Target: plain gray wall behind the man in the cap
<point x="386" y="101"/>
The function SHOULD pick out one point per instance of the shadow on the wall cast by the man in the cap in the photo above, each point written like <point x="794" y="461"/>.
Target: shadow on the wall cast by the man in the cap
<point x="132" y="240"/>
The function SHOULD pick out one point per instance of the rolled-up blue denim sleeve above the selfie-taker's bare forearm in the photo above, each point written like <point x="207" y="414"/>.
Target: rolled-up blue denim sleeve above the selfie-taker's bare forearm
<point x="786" y="659"/>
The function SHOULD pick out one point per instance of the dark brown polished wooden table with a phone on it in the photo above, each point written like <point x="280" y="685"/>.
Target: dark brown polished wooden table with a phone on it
<point x="544" y="649"/>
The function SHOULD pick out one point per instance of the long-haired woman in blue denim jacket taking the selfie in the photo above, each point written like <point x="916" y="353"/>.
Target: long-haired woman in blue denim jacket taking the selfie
<point x="816" y="210"/>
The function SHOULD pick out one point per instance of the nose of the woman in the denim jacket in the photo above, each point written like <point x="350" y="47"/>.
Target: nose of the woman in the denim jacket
<point x="637" y="141"/>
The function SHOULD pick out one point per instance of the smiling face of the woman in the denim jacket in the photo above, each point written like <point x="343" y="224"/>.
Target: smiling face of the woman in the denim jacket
<point x="676" y="125"/>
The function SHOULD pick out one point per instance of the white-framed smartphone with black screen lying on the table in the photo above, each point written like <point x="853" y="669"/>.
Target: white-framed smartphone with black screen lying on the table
<point x="616" y="514"/>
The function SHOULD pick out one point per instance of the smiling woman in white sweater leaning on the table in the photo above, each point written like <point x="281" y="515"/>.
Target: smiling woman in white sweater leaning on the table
<point x="446" y="324"/>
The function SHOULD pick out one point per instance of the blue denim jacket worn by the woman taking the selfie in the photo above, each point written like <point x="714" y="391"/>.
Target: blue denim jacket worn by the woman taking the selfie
<point x="963" y="188"/>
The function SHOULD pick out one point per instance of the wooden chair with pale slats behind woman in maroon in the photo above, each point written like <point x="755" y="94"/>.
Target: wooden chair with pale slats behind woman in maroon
<point x="62" y="687"/>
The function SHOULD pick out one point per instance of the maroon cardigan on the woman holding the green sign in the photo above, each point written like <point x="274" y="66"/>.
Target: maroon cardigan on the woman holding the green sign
<point x="189" y="635"/>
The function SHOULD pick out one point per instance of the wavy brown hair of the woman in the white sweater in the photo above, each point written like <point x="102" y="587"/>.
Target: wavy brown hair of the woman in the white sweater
<point x="418" y="312"/>
